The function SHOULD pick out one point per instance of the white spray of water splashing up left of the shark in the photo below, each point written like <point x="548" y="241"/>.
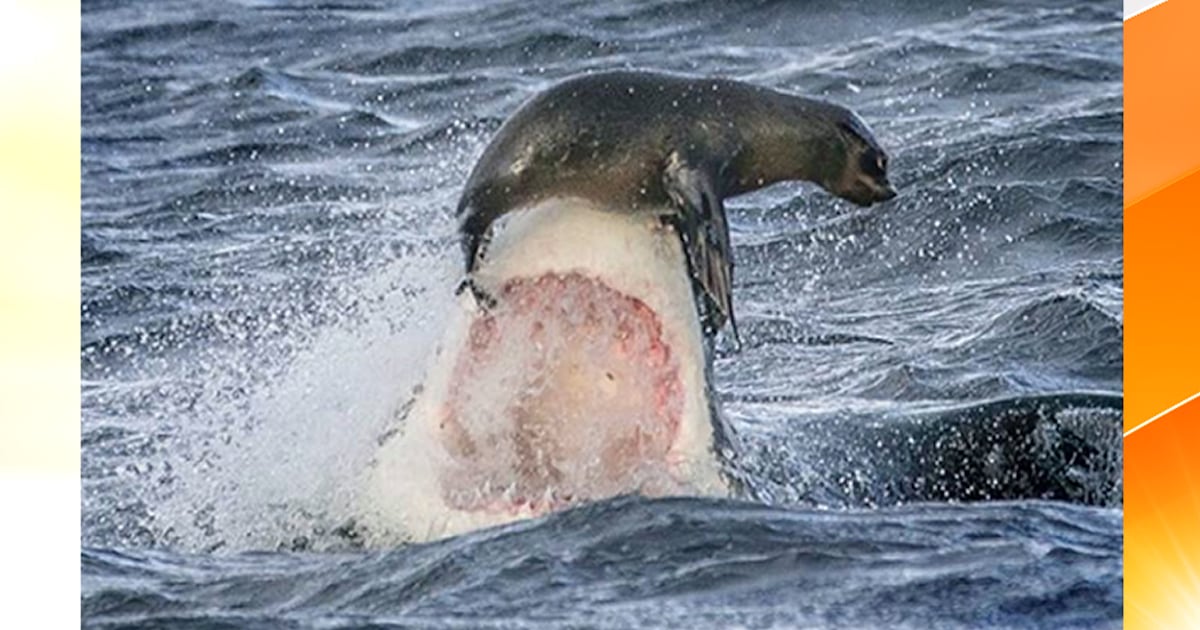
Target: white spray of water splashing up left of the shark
<point x="279" y="463"/>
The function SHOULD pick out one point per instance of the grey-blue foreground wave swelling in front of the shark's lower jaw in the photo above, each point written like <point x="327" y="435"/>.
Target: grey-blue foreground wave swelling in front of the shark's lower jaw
<point x="724" y="562"/>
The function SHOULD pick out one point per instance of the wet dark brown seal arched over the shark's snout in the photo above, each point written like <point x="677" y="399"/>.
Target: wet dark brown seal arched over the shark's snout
<point x="673" y="146"/>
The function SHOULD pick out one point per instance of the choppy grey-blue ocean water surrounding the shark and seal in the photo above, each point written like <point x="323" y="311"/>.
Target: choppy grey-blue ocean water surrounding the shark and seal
<point x="928" y="399"/>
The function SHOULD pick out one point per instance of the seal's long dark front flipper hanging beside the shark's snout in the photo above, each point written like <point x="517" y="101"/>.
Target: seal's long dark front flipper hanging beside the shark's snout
<point x="706" y="239"/>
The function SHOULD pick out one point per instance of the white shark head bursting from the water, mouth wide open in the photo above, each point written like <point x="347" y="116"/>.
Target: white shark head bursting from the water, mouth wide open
<point x="586" y="380"/>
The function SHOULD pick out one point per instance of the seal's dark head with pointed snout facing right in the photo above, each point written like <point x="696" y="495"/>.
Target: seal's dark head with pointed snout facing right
<point x="863" y="178"/>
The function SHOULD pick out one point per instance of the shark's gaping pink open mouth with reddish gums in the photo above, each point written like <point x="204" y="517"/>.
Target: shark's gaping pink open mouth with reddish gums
<point x="566" y="392"/>
